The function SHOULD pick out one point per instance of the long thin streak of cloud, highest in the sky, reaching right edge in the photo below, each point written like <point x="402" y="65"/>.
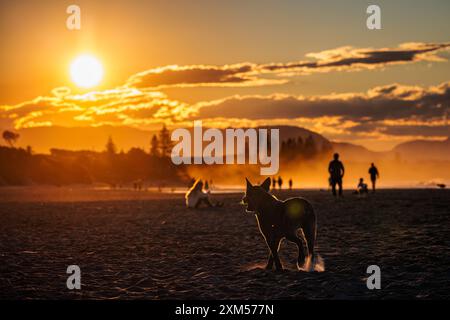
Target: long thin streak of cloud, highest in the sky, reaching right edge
<point x="252" y="74"/>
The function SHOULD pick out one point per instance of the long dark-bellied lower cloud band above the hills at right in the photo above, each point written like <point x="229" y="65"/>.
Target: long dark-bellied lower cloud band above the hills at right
<point x="381" y="103"/>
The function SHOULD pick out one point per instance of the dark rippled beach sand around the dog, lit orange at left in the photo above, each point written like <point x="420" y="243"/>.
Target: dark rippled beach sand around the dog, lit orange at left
<point x="147" y="245"/>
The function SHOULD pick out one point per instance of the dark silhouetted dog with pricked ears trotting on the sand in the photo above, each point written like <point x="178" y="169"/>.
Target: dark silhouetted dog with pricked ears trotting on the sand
<point x="282" y="219"/>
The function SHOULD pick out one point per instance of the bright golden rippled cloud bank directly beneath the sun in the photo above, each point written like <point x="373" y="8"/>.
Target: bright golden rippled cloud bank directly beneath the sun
<point x="120" y="106"/>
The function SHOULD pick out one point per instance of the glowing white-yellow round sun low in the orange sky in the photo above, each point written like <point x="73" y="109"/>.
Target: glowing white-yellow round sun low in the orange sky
<point x="86" y="71"/>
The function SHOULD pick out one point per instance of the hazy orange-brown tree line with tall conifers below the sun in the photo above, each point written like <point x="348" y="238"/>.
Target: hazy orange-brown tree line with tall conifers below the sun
<point x="20" y="166"/>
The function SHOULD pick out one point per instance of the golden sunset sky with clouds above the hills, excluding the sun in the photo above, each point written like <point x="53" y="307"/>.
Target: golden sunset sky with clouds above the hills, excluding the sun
<point x="312" y="64"/>
